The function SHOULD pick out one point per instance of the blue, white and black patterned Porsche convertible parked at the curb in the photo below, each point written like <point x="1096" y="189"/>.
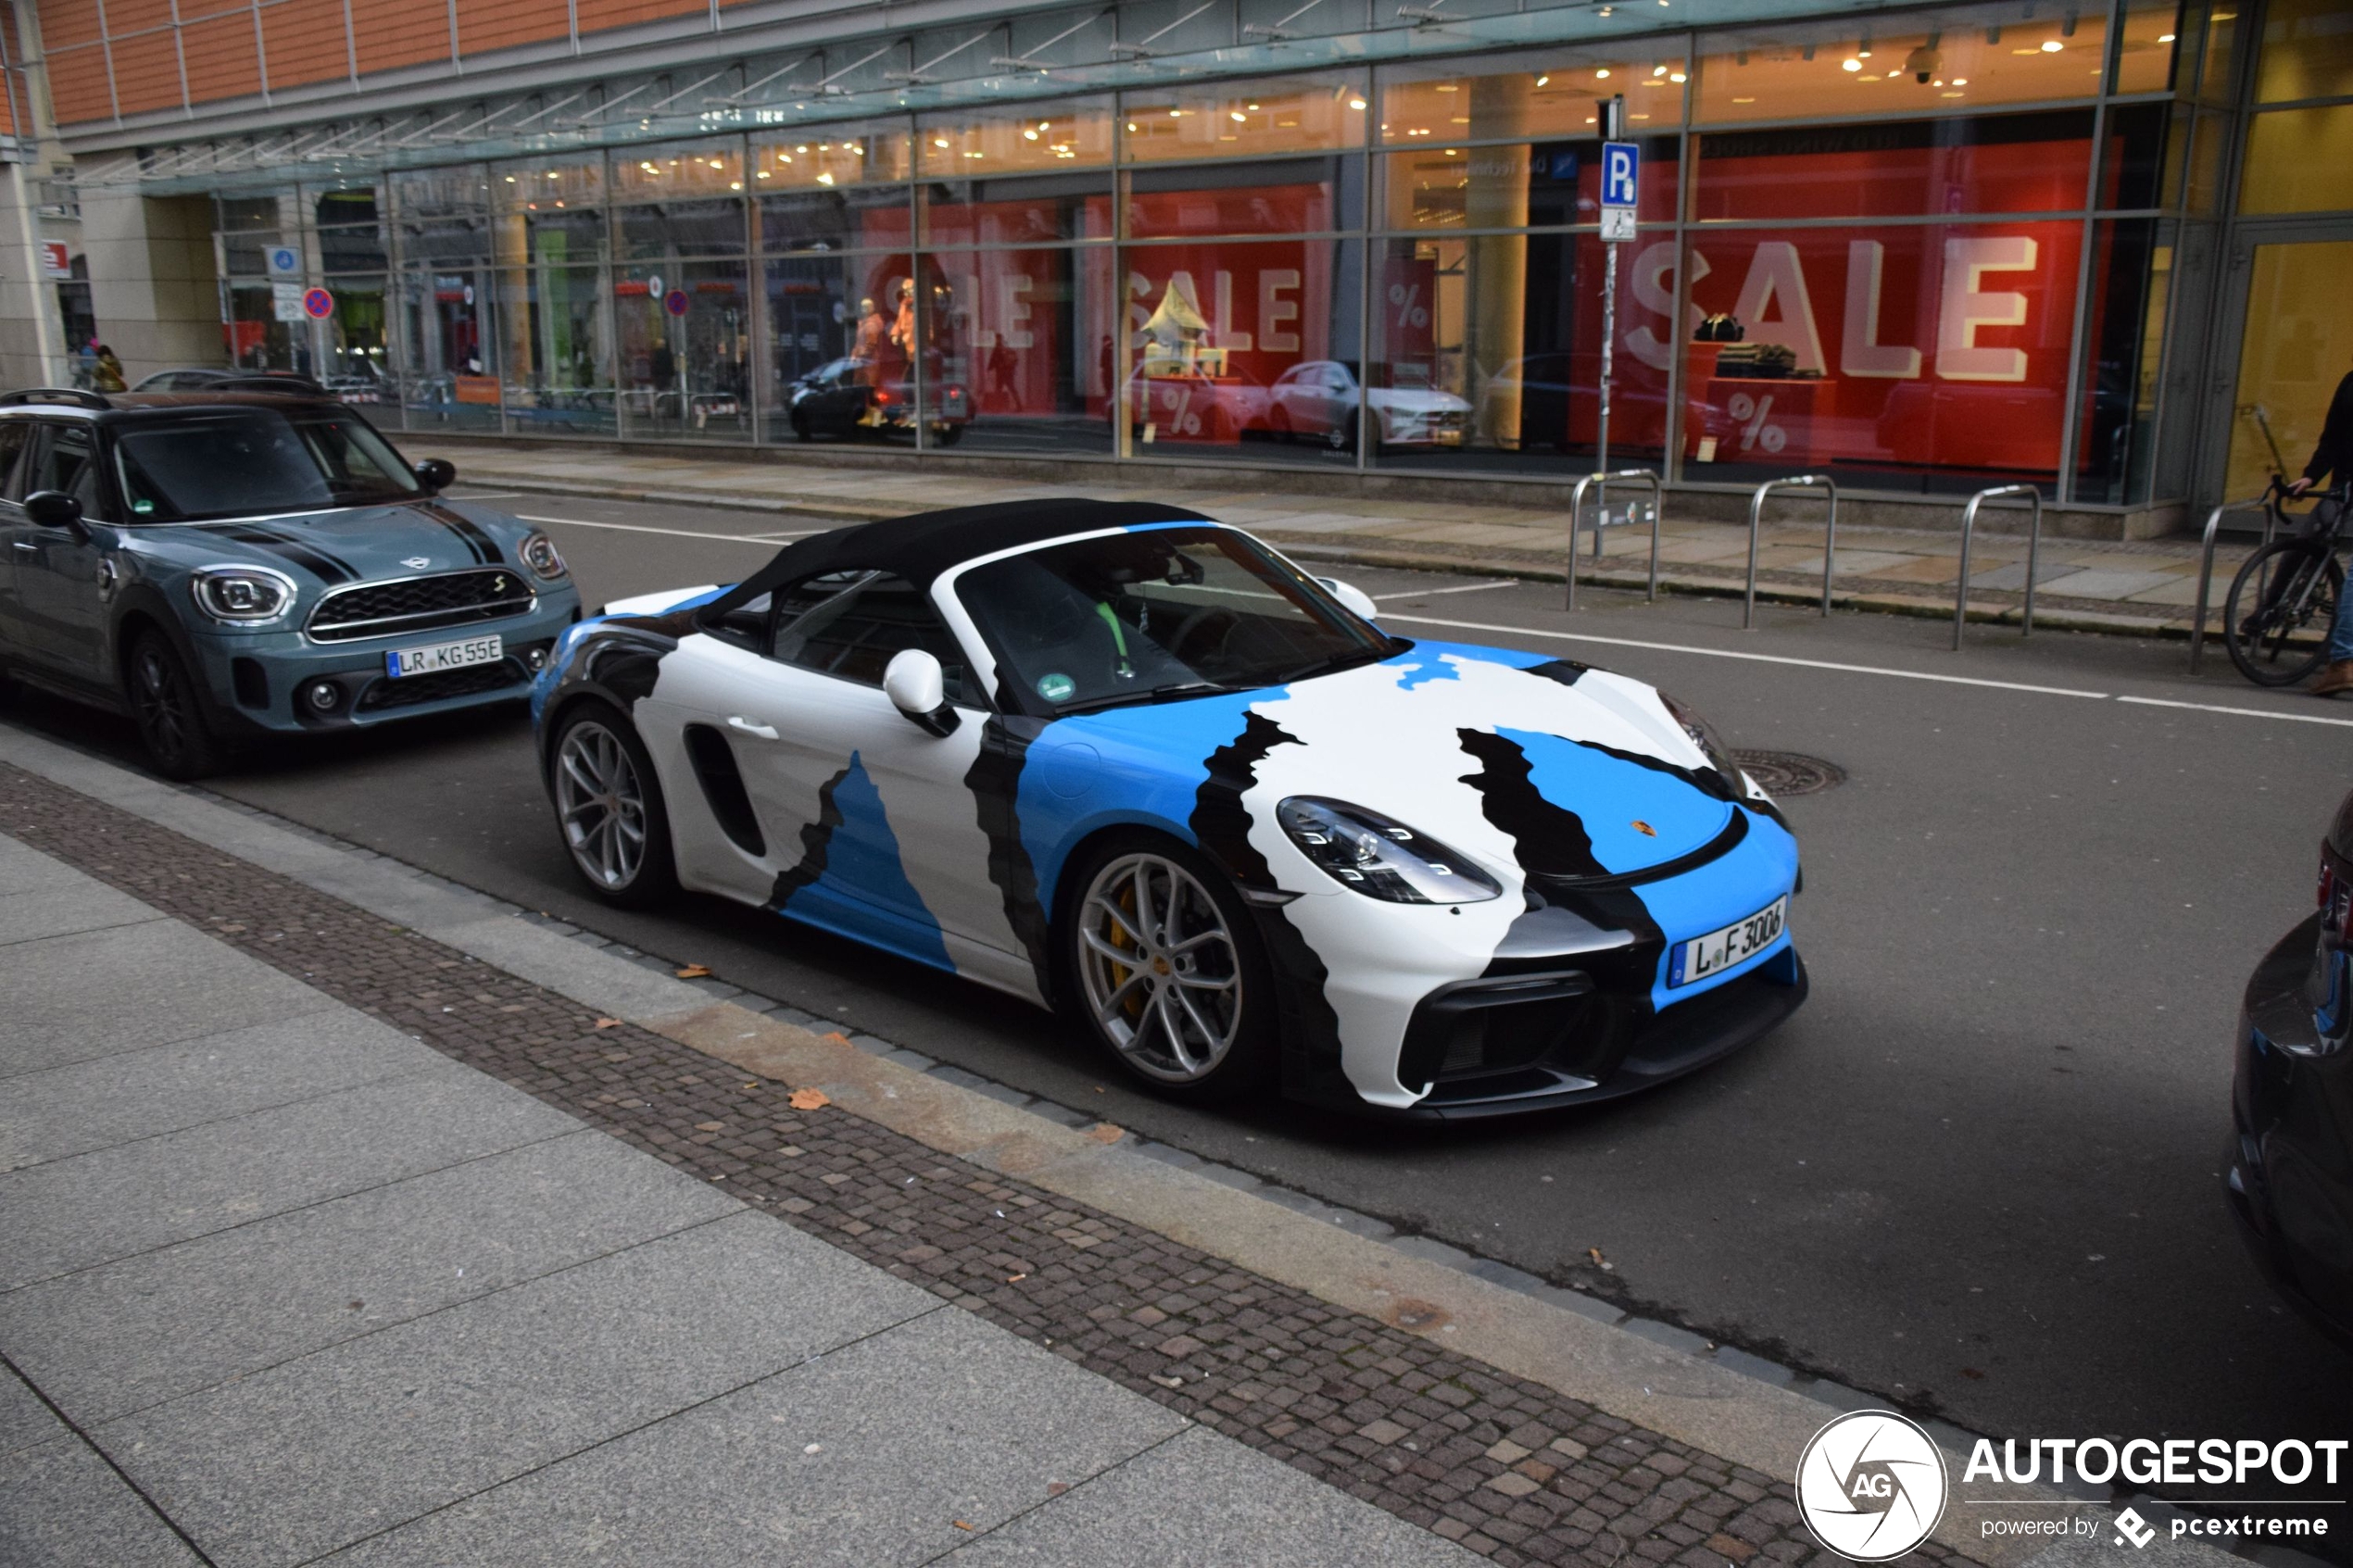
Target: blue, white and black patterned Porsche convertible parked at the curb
<point x="1138" y="765"/>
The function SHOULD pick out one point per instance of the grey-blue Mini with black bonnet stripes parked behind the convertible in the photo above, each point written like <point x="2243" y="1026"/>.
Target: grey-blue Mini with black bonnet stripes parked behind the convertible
<point x="229" y="565"/>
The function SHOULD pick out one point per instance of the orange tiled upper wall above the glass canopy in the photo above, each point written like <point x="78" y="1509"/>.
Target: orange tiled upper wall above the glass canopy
<point x="135" y="58"/>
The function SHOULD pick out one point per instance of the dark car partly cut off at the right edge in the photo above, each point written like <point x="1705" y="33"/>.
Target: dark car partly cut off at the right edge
<point x="2291" y="1179"/>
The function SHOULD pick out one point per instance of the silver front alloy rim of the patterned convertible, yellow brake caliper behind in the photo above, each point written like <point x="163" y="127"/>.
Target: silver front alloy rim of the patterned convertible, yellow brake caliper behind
<point x="1159" y="965"/>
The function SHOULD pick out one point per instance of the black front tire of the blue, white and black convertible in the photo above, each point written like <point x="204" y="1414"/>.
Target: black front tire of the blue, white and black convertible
<point x="1253" y="1054"/>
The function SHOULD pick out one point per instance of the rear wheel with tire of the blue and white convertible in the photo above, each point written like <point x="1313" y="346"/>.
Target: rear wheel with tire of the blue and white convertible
<point x="596" y="742"/>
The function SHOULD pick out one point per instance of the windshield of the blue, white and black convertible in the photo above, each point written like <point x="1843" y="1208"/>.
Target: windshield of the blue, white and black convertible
<point x="1156" y="615"/>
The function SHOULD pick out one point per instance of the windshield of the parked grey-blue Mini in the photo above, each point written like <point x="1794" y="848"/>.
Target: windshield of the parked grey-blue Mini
<point x="255" y="462"/>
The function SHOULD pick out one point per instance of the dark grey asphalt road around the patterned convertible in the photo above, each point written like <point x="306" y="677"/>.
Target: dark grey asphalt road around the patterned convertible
<point x="1978" y="1174"/>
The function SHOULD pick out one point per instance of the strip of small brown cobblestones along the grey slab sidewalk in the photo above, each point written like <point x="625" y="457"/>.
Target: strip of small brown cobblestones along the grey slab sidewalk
<point x="1500" y="1463"/>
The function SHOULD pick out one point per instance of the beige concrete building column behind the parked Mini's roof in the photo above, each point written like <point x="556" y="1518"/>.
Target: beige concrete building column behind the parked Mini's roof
<point x="154" y="283"/>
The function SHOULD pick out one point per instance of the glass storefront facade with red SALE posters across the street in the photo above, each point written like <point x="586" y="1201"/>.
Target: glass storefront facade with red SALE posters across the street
<point x="1921" y="250"/>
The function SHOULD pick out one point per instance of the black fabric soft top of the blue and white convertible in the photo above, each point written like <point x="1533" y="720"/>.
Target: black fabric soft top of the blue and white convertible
<point x="926" y="544"/>
